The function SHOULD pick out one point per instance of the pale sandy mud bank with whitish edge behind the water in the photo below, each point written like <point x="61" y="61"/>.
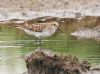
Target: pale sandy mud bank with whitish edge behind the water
<point x="30" y="9"/>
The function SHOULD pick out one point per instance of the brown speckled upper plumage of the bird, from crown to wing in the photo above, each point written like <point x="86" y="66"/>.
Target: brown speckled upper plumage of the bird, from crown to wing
<point x="39" y="27"/>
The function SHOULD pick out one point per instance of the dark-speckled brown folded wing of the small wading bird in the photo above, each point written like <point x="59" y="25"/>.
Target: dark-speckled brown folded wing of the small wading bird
<point x="37" y="27"/>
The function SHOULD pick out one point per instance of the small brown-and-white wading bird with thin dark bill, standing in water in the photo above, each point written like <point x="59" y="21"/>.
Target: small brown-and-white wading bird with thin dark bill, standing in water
<point x="40" y="30"/>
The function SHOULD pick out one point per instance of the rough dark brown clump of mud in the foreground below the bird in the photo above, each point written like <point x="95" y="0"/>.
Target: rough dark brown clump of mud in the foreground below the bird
<point x="40" y="63"/>
